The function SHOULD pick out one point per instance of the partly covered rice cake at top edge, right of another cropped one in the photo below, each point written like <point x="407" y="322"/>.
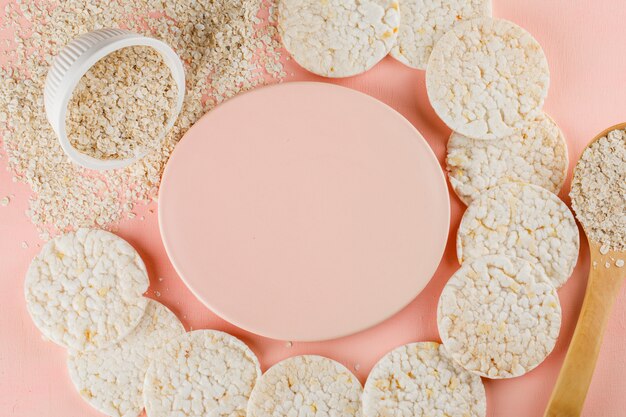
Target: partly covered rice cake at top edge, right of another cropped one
<point x="424" y="22"/>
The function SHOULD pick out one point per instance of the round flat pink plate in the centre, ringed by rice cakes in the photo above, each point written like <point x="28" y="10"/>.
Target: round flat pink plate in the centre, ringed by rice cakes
<point x="304" y="211"/>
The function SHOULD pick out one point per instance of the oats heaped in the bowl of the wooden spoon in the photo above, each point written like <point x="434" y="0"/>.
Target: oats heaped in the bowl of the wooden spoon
<point x="599" y="190"/>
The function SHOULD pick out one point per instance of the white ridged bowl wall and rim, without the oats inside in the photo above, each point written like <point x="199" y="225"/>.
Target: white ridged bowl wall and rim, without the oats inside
<point x="75" y="60"/>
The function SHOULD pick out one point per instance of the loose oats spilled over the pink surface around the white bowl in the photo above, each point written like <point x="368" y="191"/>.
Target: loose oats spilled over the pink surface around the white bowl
<point x="226" y="49"/>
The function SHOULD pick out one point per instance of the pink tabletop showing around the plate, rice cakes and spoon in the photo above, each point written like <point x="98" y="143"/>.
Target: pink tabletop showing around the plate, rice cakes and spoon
<point x="584" y="42"/>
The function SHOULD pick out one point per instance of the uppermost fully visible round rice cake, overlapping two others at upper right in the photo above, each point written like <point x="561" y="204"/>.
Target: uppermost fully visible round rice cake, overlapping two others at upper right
<point x="487" y="77"/>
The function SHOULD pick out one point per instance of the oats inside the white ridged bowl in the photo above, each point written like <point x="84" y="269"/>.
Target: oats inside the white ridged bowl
<point x="121" y="106"/>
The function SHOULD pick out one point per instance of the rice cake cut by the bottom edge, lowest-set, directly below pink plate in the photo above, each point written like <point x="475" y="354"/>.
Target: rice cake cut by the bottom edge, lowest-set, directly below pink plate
<point x="306" y="386"/>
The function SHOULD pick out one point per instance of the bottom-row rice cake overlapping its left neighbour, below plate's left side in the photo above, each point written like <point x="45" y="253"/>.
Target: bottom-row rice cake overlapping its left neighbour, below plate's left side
<point x="201" y="373"/>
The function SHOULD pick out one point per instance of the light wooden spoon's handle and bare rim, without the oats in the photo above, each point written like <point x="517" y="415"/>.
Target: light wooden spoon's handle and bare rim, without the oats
<point x="603" y="287"/>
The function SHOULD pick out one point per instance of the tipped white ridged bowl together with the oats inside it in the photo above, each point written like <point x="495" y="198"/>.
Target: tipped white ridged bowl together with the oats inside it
<point x="111" y="95"/>
